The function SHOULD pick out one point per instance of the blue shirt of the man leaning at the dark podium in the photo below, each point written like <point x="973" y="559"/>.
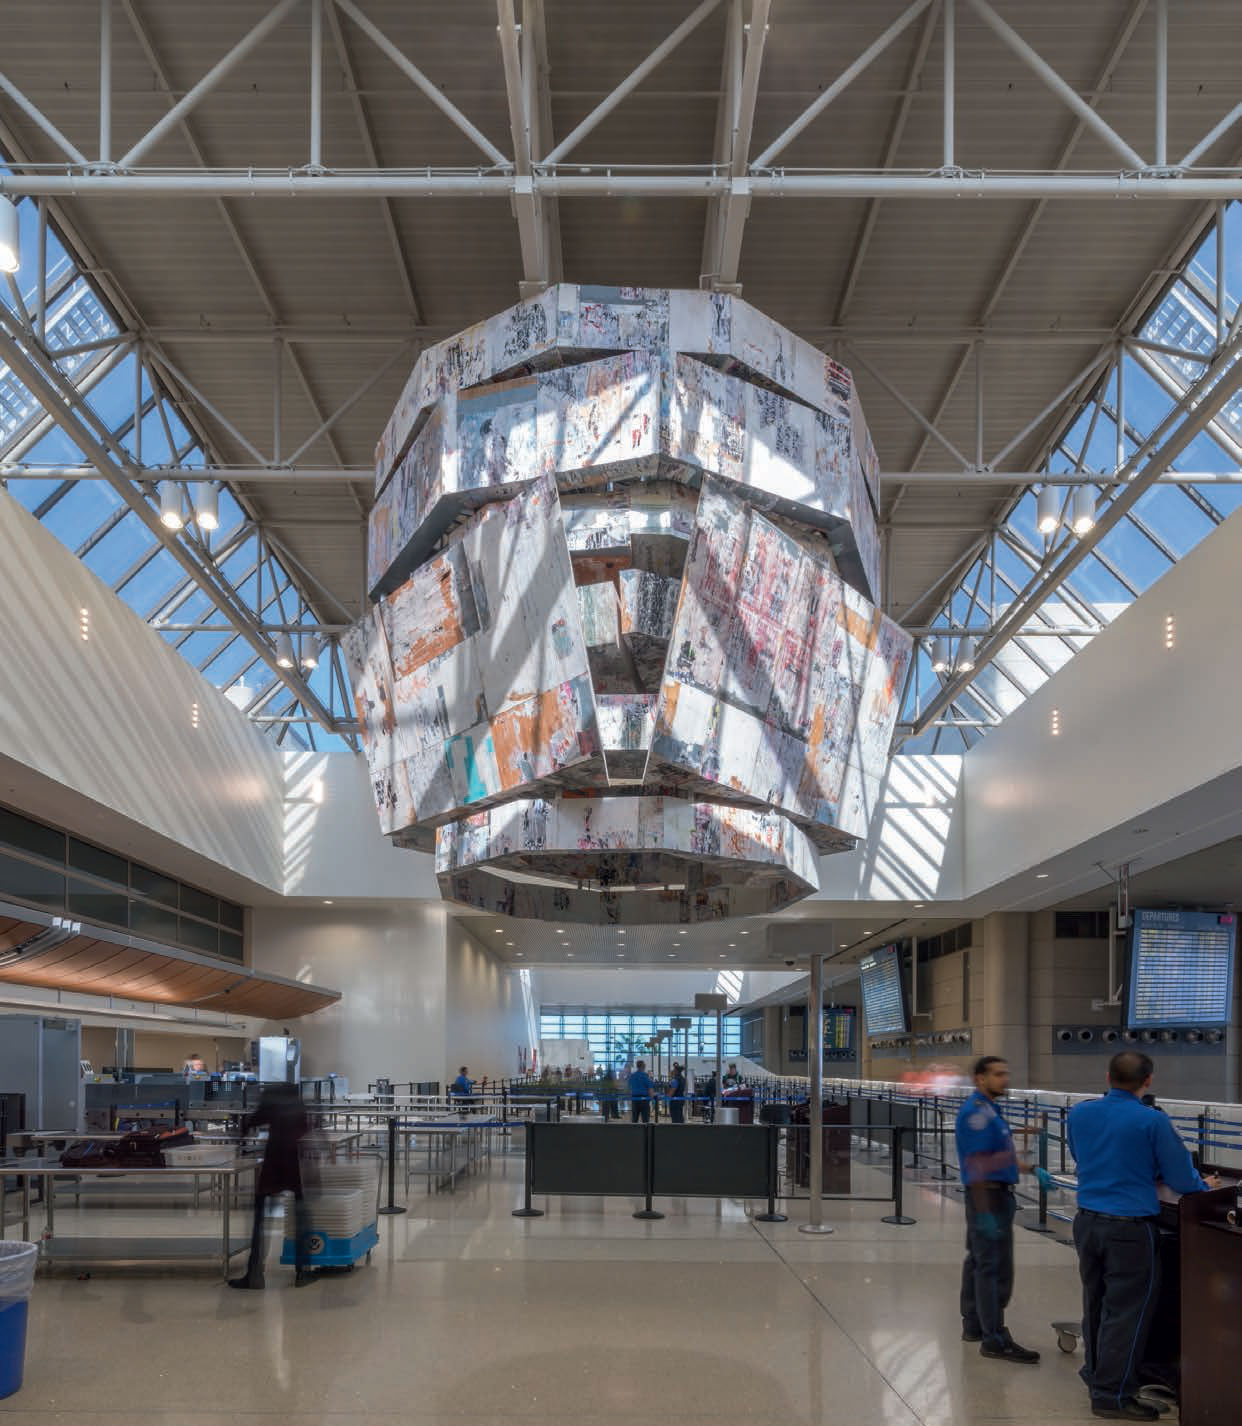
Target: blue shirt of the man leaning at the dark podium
<point x="1122" y="1149"/>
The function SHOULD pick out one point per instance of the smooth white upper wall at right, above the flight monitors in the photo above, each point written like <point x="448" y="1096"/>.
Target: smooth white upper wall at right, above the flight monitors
<point x="1140" y="724"/>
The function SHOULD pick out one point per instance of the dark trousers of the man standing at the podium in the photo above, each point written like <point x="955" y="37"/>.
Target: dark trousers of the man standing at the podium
<point x="1120" y="1264"/>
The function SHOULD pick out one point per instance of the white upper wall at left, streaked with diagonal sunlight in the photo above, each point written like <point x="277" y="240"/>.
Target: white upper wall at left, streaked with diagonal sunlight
<point x="112" y="715"/>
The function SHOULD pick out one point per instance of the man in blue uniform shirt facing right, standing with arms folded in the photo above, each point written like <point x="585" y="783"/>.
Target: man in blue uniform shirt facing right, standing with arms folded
<point x="989" y="1170"/>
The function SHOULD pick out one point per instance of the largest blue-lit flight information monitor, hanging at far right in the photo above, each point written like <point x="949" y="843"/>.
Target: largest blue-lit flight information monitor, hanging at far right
<point x="1181" y="969"/>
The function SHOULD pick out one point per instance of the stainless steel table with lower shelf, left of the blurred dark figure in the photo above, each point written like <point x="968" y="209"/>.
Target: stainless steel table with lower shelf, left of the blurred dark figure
<point x="120" y="1253"/>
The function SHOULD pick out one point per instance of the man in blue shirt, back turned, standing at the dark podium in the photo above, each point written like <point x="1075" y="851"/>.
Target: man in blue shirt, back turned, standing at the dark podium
<point x="1122" y="1149"/>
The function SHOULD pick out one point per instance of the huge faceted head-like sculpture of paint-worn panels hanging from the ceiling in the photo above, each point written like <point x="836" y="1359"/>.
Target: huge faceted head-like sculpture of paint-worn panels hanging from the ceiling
<point x="625" y="662"/>
